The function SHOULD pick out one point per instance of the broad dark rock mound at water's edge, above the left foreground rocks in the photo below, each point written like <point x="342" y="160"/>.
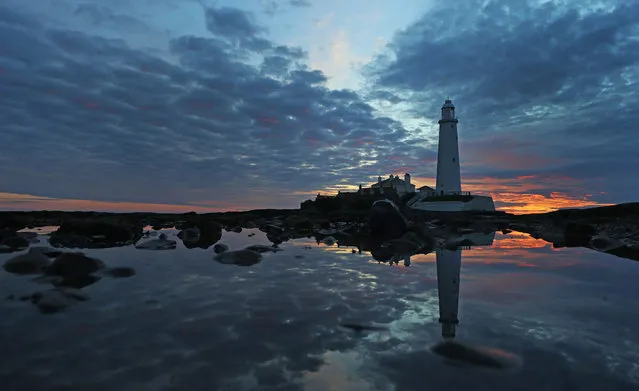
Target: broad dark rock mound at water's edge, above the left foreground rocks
<point x="95" y="234"/>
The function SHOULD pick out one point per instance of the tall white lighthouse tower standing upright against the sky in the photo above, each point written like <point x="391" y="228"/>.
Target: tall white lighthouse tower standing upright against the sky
<point x="448" y="172"/>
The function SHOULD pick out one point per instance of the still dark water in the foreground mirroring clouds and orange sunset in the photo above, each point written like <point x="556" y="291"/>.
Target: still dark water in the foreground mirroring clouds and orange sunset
<point x="187" y="322"/>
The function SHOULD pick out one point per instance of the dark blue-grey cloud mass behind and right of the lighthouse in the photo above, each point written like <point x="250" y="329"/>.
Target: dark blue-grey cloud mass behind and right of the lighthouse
<point x="538" y="87"/>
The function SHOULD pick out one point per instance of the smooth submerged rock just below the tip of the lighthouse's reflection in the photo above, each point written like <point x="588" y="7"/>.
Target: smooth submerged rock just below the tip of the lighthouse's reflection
<point x="476" y="355"/>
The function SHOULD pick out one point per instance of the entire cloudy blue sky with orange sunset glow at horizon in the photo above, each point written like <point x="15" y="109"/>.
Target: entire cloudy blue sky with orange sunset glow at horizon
<point x="178" y="105"/>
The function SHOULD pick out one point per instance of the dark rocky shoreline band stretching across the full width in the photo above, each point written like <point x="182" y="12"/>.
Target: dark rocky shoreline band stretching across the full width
<point x="612" y="229"/>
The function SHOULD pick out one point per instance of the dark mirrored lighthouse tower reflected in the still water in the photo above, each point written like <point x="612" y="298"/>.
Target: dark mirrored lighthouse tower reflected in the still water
<point x="448" y="271"/>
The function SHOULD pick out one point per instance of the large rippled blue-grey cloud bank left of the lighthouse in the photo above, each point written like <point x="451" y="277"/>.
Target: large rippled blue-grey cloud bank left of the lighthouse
<point x="217" y="119"/>
